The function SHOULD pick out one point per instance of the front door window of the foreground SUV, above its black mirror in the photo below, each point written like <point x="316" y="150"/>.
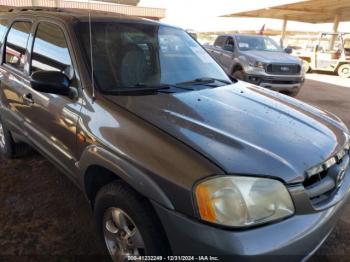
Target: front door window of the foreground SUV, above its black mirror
<point x="50" y="50"/>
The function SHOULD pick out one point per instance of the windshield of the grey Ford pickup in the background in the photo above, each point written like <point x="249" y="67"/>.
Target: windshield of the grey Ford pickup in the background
<point x="257" y="43"/>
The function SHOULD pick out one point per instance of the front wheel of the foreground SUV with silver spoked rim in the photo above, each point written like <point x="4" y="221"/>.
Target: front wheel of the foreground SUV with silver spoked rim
<point x="118" y="200"/>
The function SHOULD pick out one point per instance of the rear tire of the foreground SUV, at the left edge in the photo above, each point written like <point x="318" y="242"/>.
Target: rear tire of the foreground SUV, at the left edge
<point x="8" y="147"/>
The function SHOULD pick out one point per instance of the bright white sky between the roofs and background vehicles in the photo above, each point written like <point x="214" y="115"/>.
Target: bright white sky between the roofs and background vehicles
<point x="202" y="15"/>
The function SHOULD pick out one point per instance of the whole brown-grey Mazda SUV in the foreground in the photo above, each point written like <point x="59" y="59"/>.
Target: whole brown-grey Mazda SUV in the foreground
<point x="174" y="157"/>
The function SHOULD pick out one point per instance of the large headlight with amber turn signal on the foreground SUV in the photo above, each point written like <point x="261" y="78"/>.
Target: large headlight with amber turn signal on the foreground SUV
<point x="242" y="201"/>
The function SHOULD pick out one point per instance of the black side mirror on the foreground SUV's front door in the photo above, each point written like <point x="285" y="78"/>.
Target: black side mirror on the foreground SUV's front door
<point x="51" y="82"/>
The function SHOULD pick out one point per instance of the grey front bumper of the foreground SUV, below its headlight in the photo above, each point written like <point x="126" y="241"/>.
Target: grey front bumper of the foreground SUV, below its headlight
<point x="292" y="239"/>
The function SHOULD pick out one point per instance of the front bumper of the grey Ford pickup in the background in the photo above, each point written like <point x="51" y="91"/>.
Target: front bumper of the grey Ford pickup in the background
<point x="277" y="82"/>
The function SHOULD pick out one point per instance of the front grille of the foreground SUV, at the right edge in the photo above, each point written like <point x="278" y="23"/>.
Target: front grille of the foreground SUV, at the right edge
<point x="324" y="180"/>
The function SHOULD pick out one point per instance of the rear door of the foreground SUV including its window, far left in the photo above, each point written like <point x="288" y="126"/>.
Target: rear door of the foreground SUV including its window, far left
<point x="13" y="74"/>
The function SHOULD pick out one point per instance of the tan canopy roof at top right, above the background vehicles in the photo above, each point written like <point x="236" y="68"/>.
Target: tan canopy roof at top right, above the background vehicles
<point x="311" y="11"/>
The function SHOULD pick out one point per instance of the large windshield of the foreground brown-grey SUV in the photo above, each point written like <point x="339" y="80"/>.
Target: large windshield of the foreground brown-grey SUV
<point x="134" y="55"/>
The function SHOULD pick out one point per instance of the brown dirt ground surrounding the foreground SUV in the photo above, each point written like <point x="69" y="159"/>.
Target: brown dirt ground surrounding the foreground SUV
<point x="45" y="217"/>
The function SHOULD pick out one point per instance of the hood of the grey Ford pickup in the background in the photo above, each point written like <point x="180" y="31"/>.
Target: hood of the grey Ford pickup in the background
<point x="272" y="57"/>
